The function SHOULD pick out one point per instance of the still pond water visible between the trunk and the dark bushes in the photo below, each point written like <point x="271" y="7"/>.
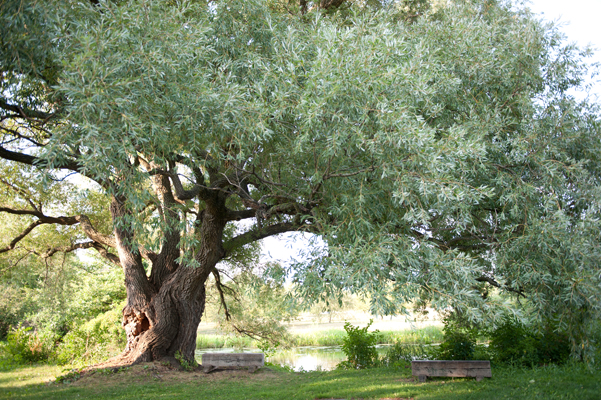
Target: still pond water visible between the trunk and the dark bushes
<point x="298" y="358"/>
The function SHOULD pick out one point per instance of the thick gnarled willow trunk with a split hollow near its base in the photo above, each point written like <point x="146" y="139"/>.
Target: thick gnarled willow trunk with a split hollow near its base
<point x="164" y="309"/>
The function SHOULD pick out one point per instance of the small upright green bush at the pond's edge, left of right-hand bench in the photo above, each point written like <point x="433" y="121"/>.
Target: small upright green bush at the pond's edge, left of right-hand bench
<point x="359" y="346"/>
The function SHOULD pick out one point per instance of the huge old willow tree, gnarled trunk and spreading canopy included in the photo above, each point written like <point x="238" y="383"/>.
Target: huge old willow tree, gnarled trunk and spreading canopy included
<point x="437" y="151"/>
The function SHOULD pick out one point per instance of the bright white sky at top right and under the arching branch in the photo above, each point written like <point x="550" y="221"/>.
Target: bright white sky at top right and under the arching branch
<point x="578" y="19"/>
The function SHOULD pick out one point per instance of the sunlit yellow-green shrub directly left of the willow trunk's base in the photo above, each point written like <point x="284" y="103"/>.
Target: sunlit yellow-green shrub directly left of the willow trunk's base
<point x="94" y="341"/>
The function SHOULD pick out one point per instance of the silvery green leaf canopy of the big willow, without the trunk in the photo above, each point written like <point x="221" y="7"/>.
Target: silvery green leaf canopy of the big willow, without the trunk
<point x="438" y="159"/>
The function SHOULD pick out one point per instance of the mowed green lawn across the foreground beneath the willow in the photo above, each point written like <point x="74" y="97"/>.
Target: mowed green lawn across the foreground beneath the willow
<point x="155" y="381"/>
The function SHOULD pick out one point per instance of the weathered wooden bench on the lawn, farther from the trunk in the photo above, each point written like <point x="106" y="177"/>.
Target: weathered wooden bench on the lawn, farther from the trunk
<point x="457" y="369"/>
